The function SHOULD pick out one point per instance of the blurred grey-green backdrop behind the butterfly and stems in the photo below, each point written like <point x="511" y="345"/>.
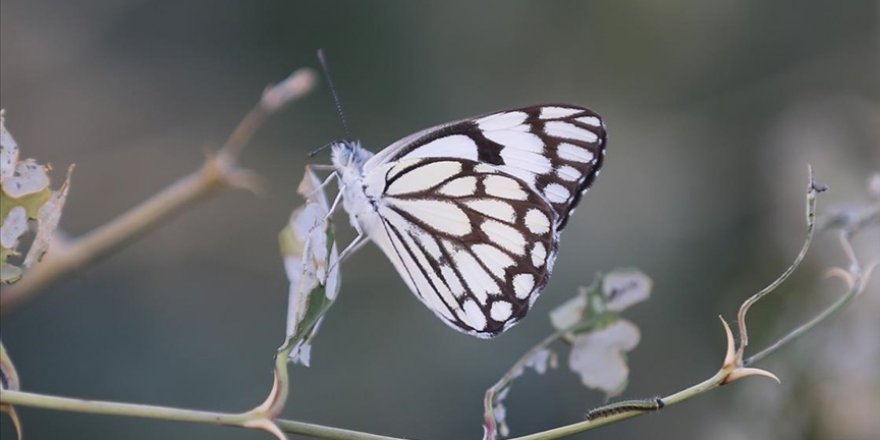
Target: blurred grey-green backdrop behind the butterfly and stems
<point x="714" y="110"/>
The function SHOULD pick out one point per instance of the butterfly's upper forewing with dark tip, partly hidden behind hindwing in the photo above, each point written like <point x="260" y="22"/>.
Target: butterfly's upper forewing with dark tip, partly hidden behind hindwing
<point x="556" y="149"/>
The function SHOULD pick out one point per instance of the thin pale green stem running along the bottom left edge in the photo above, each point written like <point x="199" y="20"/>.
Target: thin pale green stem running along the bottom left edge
<point x="35" y="400"/>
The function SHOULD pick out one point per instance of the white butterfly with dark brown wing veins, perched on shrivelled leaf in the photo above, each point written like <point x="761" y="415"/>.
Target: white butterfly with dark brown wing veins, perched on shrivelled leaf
<point x="470" y="212"/>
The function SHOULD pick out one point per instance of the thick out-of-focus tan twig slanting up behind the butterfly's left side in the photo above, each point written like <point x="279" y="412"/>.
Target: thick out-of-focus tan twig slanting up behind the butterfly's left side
<point x="219" y="171"/>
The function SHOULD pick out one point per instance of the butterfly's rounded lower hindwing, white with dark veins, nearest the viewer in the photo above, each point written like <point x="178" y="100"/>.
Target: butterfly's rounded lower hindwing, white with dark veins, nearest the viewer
<point x="474" y="244"/>
